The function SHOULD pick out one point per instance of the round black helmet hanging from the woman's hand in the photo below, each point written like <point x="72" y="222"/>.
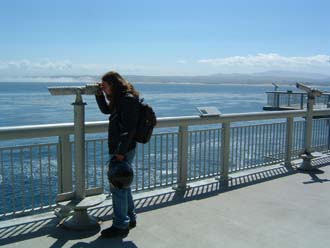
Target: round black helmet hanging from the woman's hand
<point x="120" y="173"/>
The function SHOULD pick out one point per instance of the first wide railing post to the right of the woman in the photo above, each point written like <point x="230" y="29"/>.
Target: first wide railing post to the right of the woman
<point x="182" y="173"/>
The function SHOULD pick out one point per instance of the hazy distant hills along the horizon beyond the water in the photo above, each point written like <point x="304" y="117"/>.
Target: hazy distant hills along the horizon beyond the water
<point x="279" y="77"/>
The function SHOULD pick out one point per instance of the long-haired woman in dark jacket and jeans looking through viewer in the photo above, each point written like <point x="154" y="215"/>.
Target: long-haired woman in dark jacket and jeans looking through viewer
<point x="118" y="98"/>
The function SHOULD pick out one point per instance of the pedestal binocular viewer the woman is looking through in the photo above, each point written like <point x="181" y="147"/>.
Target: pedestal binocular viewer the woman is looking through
<point x="79" y="200"/>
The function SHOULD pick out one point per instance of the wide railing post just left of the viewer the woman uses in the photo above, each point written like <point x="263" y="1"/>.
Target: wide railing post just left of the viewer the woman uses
<point x="64" y="164"/>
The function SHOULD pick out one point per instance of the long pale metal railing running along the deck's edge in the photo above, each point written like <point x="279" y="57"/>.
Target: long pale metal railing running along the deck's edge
<point x="32" y="175"/>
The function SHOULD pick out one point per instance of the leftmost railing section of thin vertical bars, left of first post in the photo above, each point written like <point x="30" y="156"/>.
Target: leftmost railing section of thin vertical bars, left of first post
<point x="28" y="176"/>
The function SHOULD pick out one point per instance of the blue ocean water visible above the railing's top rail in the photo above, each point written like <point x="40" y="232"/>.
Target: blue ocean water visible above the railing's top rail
<point x="31" y="103"/>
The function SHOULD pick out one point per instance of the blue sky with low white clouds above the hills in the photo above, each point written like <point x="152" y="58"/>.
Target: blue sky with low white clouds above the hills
<point x="170" y="37"/>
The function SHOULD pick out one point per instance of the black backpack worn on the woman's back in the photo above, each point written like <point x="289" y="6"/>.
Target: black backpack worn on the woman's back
<point x="146" y="123"/>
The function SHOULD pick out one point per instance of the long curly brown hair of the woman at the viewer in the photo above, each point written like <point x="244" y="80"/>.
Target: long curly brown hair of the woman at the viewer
<point x="119" y="87"/>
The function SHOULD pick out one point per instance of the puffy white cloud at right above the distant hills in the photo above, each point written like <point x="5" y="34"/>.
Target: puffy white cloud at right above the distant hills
<point x="270" y="61"/>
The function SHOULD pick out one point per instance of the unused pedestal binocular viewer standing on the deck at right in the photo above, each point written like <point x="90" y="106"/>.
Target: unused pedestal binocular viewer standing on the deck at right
<point x="307" y="156"/>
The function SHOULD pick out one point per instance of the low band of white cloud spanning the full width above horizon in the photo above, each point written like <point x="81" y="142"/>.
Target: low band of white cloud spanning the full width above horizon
<point x="47" y="68"/>
